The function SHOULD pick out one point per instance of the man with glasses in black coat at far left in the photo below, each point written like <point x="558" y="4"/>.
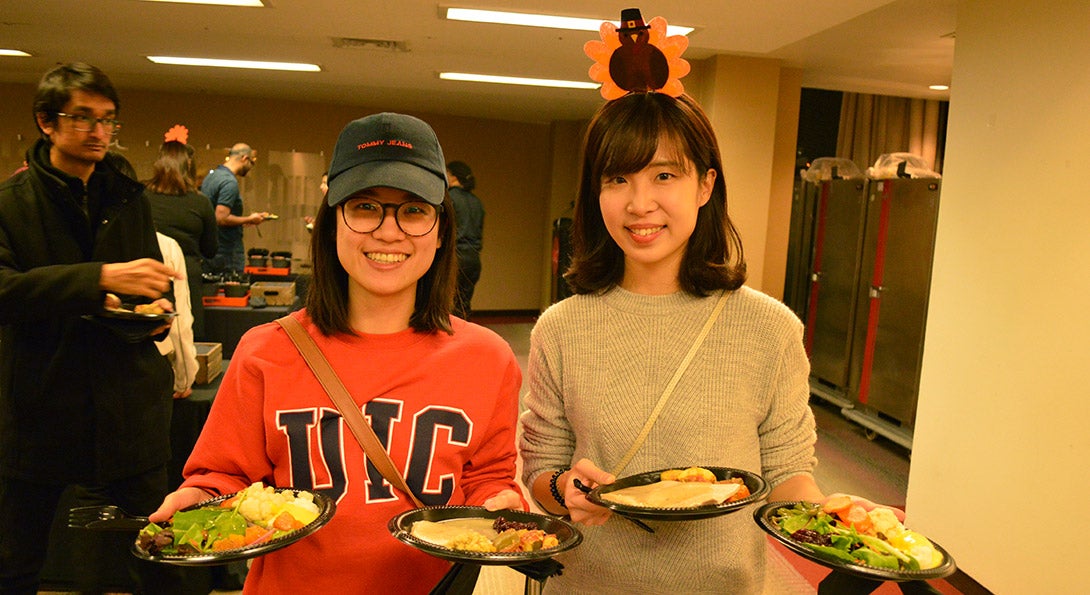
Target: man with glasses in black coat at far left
<point x="81" y="402"/>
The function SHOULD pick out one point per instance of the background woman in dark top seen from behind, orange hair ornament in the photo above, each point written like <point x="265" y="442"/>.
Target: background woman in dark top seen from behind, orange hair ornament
<point x="186" y="215"/>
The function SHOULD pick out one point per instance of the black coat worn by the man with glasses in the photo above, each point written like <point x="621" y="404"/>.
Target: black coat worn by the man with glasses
<point x="78" y="402"/>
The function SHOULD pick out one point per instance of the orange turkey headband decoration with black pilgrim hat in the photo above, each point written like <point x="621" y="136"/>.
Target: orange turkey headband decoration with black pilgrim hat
<point x="638" y="57"/>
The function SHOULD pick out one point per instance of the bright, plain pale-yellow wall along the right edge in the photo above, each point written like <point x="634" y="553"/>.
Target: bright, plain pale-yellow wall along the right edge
<point x="1000" y="453"/>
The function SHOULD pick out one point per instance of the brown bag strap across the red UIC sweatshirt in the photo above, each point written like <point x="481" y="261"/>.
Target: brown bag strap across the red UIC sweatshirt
<point x="365" y="434"/>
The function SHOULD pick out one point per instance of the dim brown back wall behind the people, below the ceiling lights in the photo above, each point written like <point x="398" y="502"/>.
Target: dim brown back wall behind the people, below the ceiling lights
<point x="512" y="162"/>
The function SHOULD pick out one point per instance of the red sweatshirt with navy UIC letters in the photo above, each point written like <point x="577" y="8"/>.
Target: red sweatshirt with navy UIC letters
<point x="446" y="406"/>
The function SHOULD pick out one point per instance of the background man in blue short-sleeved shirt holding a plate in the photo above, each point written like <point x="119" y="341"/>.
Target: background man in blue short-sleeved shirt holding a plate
<point x="222" y="188"/>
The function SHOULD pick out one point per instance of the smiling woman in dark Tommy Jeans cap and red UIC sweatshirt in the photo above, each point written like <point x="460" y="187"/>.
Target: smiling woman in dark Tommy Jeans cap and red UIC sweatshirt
<point x="380" y="310"/>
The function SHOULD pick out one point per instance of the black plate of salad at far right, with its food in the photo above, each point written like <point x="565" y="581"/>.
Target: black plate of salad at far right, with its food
<point x="871" y="547"/>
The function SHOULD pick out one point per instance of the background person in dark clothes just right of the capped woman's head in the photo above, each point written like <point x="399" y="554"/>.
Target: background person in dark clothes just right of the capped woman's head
<point x="469" y="213"/>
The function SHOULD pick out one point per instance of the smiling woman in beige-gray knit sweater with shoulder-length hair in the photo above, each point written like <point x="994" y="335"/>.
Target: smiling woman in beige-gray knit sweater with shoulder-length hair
<point x="655" y="253"/>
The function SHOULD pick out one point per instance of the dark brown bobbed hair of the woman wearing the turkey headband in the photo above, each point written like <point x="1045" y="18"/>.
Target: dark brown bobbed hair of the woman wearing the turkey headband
<point x="623" y="139"/>
